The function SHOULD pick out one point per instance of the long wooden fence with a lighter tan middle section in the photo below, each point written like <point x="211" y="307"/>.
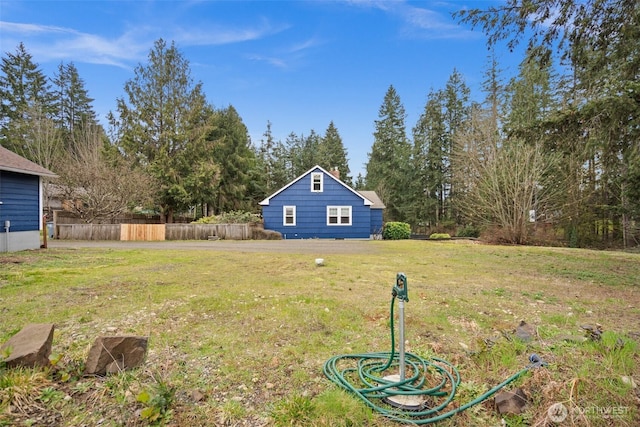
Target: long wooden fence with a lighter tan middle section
<point x="148" y="232"/>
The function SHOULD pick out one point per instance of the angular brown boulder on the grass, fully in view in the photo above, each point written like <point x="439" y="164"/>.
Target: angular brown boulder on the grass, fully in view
<point x="109" y="355"/>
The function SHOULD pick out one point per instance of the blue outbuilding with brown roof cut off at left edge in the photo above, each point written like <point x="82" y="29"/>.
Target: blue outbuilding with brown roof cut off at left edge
<point x="20" y="202"/>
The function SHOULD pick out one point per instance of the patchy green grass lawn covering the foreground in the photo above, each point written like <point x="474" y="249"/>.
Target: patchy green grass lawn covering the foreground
<point x="240" y="338"/>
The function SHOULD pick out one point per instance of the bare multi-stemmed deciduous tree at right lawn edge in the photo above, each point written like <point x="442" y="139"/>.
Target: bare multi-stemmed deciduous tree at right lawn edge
<point x="505" y="185"/>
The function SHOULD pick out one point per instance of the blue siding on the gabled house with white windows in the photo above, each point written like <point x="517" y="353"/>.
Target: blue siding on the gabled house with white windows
<point x="311" y="211"/>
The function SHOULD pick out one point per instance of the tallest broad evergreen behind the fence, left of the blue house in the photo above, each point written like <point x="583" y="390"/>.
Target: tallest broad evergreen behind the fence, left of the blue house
<point x="163" y="124"/>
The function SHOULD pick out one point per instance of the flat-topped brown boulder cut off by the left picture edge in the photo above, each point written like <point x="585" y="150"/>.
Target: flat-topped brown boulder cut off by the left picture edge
<point x="30" y="347"/>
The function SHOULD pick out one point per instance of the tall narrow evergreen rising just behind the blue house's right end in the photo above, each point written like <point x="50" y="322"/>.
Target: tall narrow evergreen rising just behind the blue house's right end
<point x="388" y="166"/>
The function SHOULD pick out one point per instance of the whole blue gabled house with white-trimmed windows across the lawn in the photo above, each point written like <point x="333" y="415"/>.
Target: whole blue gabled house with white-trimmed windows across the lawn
<point x="318" y="204"/>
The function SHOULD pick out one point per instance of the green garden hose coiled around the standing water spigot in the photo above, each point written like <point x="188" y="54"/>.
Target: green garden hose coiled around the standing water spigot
<point x="366" y="370"/>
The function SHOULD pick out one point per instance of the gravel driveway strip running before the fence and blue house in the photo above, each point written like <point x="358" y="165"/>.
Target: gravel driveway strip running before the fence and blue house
<point x="311" y="246"/>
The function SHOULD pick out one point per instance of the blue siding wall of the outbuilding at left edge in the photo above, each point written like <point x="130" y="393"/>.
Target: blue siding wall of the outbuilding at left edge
<point x="20" y="197"/>
